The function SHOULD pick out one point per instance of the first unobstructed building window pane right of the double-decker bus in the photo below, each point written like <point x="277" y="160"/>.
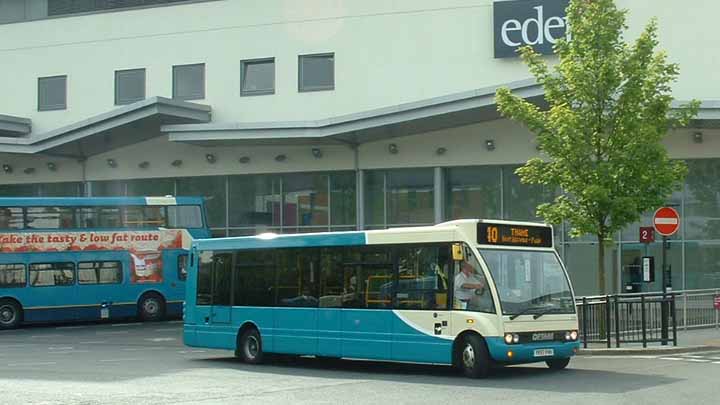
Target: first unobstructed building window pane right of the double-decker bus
<point x="255" y="201"/>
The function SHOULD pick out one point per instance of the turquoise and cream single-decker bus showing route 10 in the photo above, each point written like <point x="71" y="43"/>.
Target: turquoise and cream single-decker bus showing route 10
<point x="469" y="293"/>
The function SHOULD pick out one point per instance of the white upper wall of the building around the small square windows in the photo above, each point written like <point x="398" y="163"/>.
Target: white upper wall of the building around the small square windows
<point x="387" y="53"/>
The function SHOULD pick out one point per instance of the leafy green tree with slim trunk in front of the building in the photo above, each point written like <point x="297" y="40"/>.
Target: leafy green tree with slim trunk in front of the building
<point x="609" y="108"/>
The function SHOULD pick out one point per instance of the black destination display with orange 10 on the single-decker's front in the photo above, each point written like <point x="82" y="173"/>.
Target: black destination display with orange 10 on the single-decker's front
<point x="514" y="235"/>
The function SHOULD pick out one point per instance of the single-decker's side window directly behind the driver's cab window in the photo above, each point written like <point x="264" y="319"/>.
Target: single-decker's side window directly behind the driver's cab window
<point x="423" y="277"/>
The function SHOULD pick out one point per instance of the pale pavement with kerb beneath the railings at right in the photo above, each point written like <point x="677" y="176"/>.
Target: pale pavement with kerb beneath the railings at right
<point x="689" y="341"/>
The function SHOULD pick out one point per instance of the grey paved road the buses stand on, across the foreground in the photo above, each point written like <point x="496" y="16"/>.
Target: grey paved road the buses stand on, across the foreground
<point x="147" y="364"/>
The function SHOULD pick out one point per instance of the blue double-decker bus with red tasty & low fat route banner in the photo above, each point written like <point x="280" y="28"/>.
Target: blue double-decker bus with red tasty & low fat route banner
<point x="68" y="259"/>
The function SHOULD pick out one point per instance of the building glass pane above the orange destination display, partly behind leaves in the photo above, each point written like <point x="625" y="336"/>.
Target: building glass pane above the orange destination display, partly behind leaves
<point x="521" y="200"/>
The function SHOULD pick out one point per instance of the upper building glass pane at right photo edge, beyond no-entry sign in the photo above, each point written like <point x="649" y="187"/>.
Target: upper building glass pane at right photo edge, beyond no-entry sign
<point x="702" y="200"/>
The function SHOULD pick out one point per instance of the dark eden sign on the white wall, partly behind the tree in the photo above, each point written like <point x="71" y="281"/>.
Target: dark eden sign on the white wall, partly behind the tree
<point x="539" y="23"/>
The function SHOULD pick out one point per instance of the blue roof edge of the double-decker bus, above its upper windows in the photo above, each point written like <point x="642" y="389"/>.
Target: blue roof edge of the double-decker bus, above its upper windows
<point x="95" y="201"/>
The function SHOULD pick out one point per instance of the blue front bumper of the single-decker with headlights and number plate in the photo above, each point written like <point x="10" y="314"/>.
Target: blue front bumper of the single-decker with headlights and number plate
<point x="504" y="353"/>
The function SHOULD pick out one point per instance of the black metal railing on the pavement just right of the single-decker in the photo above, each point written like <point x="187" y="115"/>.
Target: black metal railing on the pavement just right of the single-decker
<point x="628" y="318"/>
